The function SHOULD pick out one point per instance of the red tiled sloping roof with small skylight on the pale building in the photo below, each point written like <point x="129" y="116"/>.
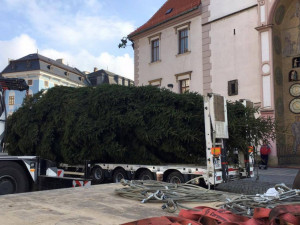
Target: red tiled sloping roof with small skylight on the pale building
<point x="178" y="7"/>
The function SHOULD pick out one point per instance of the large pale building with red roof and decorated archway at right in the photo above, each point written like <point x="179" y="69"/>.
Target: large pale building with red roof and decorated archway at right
<point x="246" y="49"/>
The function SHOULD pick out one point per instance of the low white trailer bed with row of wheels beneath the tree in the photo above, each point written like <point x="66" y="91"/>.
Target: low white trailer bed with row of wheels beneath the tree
<point x="166" y="173"/>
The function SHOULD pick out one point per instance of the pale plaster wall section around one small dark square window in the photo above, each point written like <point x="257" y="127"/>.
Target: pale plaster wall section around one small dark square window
<point x="236" y="56"/>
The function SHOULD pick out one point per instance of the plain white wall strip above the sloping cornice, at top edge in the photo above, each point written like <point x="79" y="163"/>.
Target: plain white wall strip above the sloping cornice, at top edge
<point x="220" y="8"/>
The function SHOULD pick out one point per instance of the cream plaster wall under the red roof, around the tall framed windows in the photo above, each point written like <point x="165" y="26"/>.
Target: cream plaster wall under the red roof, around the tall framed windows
<point x="171" y="63"/>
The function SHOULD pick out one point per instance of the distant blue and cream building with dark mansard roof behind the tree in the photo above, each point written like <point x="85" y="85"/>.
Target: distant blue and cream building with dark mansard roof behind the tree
<point x="41" y="73"/>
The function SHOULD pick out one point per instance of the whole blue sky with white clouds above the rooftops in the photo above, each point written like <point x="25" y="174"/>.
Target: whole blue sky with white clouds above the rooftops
<point x="86" y="33"/>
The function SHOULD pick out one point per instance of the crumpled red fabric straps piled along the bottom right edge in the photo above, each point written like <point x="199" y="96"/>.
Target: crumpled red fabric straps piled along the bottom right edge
<point x="283" y="214"/>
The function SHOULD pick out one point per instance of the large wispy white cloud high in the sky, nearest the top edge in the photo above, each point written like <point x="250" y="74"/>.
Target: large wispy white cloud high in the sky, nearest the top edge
<point x="79" y="22"/>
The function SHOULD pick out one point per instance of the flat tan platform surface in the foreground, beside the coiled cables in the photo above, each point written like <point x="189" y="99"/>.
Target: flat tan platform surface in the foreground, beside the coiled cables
<point x="83" y="205"/>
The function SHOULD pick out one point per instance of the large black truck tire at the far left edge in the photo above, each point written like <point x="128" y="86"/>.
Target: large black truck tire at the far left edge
<point x="13" y="178"/>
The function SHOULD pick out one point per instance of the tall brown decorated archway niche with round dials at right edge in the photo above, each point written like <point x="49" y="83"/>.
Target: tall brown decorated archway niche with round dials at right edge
<point x="286" y="78"/>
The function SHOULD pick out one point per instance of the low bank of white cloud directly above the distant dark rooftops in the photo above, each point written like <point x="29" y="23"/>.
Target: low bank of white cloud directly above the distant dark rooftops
<point x="83" y="60"/>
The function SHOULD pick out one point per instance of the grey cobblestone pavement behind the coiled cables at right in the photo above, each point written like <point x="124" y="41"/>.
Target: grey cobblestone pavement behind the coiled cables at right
<point x="262" y="181"/>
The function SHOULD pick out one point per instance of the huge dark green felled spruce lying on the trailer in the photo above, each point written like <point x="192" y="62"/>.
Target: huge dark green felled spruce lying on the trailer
<point x="117" y="124"/>
